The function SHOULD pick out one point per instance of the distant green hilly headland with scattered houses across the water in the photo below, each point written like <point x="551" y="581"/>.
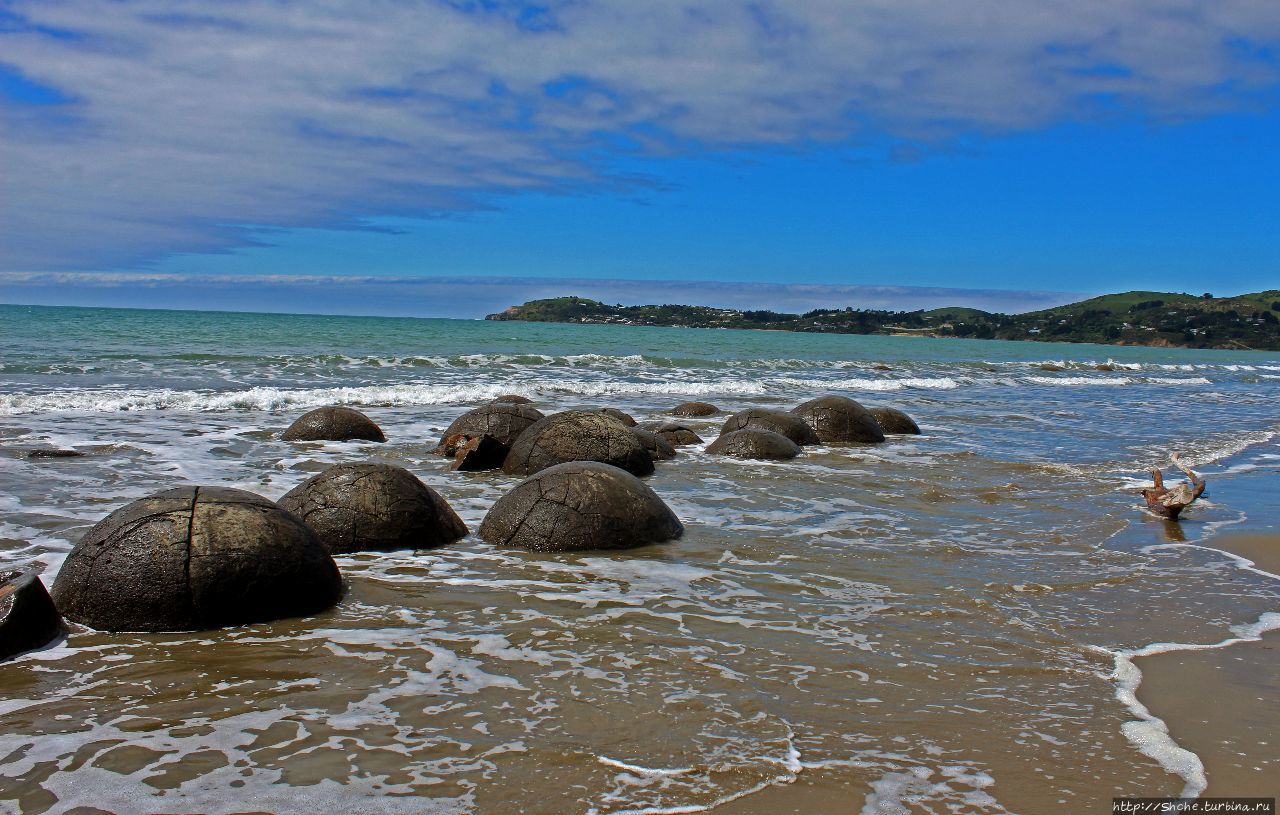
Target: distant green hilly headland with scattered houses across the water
<point x="1159" y="319"/>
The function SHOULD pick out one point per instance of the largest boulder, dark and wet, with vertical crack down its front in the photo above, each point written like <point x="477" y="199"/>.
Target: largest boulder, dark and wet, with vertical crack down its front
<point x="196" y="558"/>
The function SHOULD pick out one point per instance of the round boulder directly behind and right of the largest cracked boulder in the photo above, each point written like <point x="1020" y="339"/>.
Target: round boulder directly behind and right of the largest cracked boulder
<point x="369" y="507"/>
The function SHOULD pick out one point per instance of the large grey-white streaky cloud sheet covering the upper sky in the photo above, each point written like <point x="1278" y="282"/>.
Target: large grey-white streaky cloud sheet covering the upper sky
<point x="164" y="126"/>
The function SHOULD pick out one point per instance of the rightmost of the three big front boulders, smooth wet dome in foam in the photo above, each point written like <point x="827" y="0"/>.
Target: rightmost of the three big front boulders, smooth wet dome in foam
<point x="577" y="507"/>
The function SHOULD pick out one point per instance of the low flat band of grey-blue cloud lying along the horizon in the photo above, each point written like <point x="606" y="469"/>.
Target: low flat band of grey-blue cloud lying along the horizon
<point x="474" y="297"/>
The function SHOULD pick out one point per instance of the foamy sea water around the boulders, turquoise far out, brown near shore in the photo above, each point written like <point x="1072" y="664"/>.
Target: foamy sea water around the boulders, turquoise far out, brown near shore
<point x="945" y="624"/>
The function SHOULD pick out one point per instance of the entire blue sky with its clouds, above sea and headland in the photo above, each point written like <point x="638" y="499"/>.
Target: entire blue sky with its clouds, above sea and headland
<point x="1014" y="154"/>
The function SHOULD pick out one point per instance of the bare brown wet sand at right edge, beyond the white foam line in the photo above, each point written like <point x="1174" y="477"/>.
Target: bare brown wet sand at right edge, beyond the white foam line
<point x="1224" y="704"/>
